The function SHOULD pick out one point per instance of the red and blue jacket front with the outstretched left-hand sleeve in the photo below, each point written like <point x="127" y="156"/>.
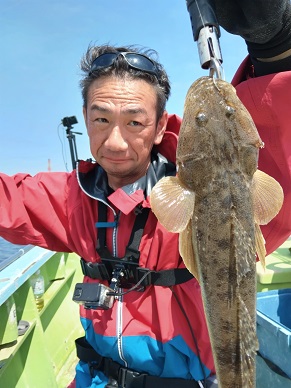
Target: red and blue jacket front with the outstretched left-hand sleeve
<point x="145" y="331"/>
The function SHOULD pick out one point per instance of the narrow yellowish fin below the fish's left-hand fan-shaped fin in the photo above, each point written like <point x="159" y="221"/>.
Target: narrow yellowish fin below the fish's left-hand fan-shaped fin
<point x="186" y="250"/>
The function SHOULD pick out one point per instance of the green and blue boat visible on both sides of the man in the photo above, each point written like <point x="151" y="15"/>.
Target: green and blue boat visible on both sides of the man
<point x="37" y="346"/>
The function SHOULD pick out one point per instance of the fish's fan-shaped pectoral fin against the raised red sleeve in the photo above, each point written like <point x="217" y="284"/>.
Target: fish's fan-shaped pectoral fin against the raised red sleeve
<point x="268" y="197"/>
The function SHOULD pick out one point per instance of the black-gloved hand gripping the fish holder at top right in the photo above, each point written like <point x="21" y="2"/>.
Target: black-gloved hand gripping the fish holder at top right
<point x="264" y="24"/>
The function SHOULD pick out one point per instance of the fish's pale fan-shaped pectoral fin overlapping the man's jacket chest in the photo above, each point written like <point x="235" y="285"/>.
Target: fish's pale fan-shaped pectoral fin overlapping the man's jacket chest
<point x="172" y="203"/>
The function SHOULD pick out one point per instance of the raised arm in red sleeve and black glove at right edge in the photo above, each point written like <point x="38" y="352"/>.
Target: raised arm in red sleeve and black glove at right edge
<point x="263" y="83"/>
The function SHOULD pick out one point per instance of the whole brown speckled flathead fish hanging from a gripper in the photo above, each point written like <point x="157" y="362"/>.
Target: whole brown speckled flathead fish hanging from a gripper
<point x="216" y="202"/>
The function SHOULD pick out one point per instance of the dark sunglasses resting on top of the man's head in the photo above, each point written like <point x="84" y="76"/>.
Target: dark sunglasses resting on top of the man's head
<point x="134" y="60"/>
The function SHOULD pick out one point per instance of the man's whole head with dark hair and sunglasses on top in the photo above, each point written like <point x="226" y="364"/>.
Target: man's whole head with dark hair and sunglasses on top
<point x="124" y="94"/>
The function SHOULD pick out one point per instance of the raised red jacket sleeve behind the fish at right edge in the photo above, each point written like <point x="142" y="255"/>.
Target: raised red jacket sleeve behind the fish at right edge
<point x="267" y="98"/>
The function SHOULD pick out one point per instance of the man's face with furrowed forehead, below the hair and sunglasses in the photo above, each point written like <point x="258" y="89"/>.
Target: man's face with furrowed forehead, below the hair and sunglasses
<point x="122" y="127"/>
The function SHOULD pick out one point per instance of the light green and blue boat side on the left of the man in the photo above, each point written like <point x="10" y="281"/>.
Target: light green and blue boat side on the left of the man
<point x="37" y="348"/>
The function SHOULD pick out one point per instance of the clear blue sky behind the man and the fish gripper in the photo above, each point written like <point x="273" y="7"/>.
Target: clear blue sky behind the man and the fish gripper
<point x="41" y="45"/>
